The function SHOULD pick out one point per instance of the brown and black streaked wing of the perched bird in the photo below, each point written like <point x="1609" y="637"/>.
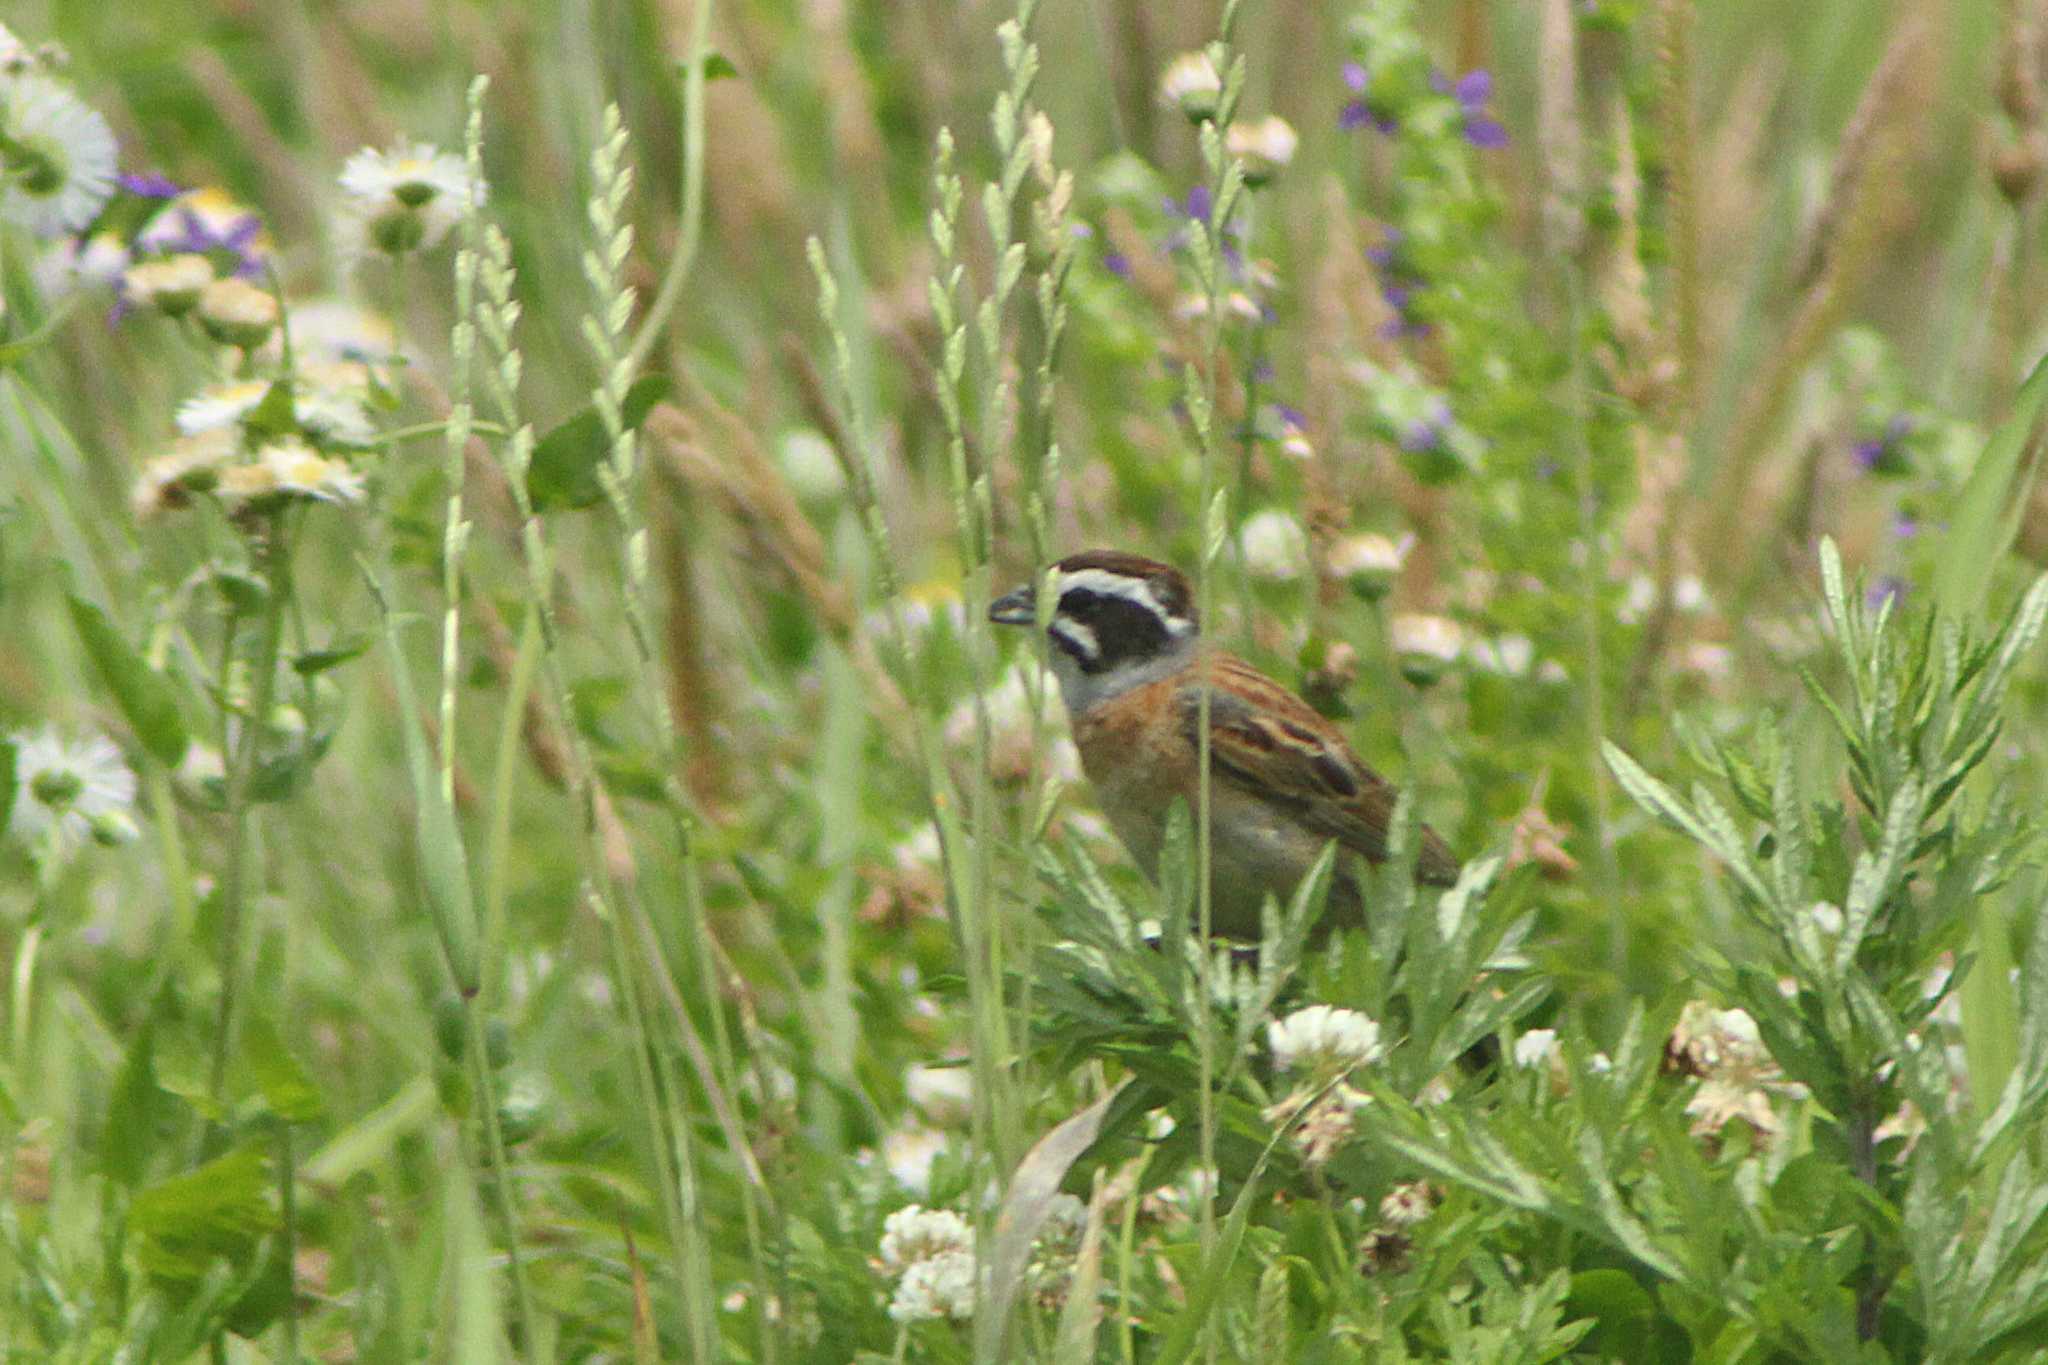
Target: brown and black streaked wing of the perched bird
<point x="1271" y="744"/>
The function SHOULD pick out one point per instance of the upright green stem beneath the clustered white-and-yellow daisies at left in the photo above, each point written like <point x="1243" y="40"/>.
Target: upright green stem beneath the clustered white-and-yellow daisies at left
<point x="273" y="554"/>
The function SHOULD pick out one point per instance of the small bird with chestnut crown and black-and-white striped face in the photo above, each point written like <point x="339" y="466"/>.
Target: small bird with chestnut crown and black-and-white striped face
<point x="1283" y="781"/>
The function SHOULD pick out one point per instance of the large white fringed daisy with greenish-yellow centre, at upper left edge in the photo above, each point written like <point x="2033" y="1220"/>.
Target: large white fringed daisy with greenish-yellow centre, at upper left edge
<point x="56" y="157"/>
